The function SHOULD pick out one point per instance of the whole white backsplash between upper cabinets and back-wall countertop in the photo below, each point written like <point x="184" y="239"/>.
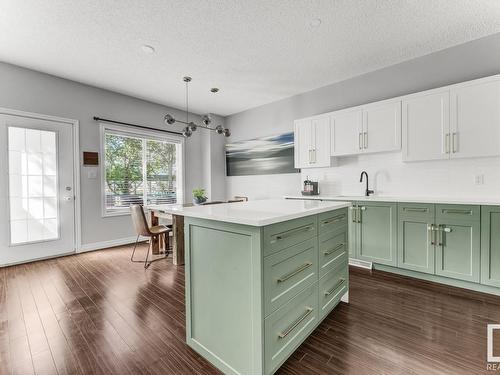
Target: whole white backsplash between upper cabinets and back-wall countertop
<point x="388" y="175"/>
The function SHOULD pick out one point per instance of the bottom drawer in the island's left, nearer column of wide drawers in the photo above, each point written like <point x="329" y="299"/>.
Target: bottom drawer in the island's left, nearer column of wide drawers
<point x="287" y="327"/>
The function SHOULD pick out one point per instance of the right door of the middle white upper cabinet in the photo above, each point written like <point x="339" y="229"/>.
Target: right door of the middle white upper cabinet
<point x="382" y="126"/>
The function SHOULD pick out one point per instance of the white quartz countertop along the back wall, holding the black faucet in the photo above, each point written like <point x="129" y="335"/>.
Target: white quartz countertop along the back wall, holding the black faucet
<point x="491" y="201"/>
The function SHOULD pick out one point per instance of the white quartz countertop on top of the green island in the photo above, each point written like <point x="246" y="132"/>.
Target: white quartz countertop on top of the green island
<point x="255" y="213"/>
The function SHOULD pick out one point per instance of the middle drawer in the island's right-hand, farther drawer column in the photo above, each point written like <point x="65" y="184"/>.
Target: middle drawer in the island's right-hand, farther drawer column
<point x="333" y="250"/>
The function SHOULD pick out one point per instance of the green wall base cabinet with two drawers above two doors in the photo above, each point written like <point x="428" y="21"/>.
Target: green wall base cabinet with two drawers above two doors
<point x="440" y="239"/>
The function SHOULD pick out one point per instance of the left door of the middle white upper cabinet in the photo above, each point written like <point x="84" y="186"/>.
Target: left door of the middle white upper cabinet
<point x="346" y="132"/>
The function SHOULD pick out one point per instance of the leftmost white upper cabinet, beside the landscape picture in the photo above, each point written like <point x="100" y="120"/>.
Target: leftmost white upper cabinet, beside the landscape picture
<point x="312" y="142"/>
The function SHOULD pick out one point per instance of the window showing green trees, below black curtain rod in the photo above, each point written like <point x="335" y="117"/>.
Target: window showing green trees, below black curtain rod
<point x="139" y="168"/>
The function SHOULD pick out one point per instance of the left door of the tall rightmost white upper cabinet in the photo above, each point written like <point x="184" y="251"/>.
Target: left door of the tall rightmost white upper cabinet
<point x="426" y="126"/>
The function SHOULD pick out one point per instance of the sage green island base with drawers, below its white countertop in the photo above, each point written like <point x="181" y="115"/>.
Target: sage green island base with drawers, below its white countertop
<point x="254" y="294"/>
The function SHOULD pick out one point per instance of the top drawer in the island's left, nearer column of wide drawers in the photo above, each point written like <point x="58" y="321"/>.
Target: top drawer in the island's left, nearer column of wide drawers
<point x="282" y="235"/>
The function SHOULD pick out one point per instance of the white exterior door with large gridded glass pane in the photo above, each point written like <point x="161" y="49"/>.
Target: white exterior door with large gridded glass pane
<point x="37" y="206"/>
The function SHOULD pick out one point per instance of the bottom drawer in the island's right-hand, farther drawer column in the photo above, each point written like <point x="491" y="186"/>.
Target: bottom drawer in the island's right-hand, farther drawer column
<point x="332" y="287"/>
